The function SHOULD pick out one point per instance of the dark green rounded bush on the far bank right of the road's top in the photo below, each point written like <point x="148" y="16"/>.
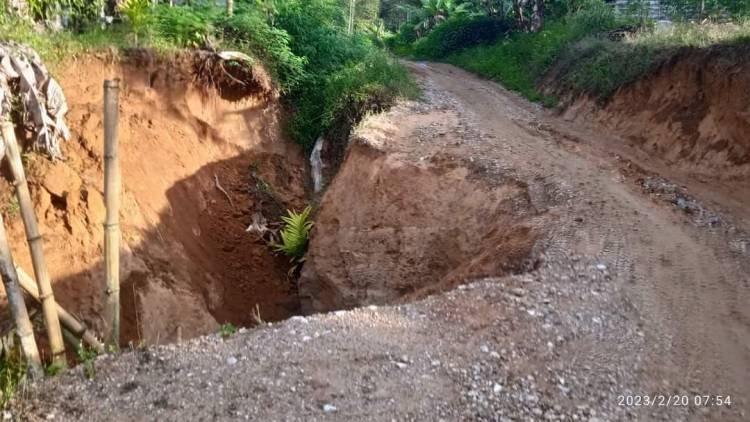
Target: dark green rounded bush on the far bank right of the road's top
<point x="459" y="33"/>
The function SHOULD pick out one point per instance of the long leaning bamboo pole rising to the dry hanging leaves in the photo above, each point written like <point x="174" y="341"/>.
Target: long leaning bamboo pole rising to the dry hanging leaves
<point x="49" y="308"/>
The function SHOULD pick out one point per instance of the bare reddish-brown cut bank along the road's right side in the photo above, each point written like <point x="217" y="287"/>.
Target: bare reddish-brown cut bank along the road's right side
<point x="693" y="111"/>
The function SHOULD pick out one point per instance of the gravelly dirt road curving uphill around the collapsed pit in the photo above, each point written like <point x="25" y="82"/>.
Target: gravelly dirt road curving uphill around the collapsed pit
<point x="640" y="287"/>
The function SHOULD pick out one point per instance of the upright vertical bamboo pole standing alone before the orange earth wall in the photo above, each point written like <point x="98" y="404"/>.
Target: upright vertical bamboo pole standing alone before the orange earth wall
<point x="112" y="202"/>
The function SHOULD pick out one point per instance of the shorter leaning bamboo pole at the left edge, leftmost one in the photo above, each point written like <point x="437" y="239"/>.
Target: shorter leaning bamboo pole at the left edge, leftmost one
<point x="18" y="306"/>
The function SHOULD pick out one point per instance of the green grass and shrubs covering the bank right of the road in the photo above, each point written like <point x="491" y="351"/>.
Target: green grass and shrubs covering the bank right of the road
<point x="585" y="46"/>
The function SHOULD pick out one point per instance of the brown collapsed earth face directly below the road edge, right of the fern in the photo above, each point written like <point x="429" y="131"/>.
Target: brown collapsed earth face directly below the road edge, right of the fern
<point x="425" y="228"/>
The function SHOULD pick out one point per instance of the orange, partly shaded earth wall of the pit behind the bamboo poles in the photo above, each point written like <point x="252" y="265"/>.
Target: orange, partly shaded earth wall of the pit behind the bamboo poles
<point x="187" y="263"/>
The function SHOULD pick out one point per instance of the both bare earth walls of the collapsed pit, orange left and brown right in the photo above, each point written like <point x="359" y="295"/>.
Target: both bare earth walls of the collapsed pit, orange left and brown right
<point x="198" y="169"/>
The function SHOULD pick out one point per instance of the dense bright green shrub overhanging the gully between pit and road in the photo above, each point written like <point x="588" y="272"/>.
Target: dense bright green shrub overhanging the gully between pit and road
<point x="341" y="71"/>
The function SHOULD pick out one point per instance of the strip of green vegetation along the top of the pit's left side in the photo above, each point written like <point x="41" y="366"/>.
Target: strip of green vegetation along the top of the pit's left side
<point x="325" y="72"/>
